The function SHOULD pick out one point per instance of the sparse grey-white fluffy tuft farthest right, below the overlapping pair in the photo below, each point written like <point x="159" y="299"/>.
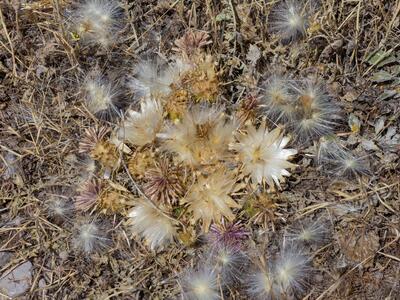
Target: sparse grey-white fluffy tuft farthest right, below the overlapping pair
<point x="335" y="159"/>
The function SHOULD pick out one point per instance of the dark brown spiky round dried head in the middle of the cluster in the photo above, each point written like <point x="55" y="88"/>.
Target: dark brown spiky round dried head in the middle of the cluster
<point x="163" y="183"/>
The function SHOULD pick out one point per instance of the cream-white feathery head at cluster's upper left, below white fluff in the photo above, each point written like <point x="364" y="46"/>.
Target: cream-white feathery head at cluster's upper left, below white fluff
<point x="140" y="128"/>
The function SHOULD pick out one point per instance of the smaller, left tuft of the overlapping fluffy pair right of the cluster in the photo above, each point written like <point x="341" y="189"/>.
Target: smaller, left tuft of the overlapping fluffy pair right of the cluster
<point x="278" y="100"/>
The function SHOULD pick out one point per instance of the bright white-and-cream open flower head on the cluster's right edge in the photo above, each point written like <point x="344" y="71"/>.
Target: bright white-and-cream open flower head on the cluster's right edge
<point x="263" y="155"/>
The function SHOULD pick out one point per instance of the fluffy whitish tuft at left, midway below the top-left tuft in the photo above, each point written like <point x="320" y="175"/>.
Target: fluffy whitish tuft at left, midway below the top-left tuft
<point x="100" y="96"/>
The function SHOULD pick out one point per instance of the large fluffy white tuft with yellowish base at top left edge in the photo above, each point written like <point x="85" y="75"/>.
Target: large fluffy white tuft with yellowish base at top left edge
<point x="98" y="21"/>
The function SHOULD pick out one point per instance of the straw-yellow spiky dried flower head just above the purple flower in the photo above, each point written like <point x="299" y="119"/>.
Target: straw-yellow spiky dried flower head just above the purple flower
<point x="209" y="198"/>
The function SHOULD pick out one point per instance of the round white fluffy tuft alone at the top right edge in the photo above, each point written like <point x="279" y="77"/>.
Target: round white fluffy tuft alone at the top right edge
<point x="288" y="20"/>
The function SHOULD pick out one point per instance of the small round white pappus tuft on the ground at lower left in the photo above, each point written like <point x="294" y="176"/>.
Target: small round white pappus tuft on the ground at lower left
<point x="89" y="236"/>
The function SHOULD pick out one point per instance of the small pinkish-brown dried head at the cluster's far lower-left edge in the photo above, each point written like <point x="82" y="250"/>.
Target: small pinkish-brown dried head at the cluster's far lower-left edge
<point x="89" y="195"/>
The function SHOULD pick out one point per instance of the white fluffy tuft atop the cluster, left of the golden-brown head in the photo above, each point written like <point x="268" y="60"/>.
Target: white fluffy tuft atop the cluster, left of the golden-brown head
<point x="154" y="78"/>
